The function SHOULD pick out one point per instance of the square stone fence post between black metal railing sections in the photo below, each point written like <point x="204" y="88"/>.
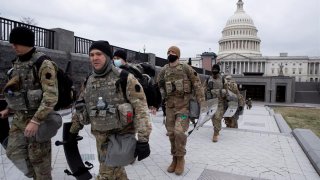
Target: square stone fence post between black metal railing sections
<point x="63" y="40"/>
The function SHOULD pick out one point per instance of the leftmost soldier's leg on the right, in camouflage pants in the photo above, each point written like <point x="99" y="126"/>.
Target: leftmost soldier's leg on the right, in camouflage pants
<point x="40" y="158"/>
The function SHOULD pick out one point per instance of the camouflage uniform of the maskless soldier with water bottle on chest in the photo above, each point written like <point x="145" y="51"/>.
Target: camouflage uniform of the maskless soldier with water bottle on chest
<point x="107" y="88"/>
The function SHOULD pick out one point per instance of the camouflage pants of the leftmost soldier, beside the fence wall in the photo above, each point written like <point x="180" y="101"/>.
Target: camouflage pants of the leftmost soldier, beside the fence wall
<point x="29" y="156"/>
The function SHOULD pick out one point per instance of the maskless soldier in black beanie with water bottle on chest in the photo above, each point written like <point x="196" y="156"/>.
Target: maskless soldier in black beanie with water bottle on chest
<point x="104" y="83"/>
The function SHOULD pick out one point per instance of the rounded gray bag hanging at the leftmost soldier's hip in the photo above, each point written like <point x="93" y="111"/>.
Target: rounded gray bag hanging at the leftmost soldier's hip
<point x="49" y="127"/>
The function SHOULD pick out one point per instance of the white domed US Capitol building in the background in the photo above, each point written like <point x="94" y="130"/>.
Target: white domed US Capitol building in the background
<point x="271" y="79"/>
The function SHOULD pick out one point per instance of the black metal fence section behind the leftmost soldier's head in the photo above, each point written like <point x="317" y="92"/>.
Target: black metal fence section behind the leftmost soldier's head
<point x="43" y="37"/>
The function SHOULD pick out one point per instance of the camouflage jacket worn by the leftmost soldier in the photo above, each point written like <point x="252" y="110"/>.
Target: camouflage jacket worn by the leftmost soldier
<point x="29" y="80"/>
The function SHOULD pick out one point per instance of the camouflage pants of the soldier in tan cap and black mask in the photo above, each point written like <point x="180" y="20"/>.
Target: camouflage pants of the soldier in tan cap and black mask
<point x="177" y="125"/>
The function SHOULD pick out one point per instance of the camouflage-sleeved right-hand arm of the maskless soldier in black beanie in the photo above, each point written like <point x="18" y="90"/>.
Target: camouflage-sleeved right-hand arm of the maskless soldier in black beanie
<point x="138" y="101"/>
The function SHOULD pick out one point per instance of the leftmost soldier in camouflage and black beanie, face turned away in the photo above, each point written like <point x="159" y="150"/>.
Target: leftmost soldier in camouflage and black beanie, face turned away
<point x="31" y="95"/>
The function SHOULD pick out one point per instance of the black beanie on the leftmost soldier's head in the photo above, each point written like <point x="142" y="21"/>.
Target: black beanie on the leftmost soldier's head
<point x="22" y="36"/>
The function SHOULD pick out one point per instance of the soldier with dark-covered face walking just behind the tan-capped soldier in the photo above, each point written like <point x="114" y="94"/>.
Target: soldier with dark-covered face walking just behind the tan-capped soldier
<point x="214" y="88"/>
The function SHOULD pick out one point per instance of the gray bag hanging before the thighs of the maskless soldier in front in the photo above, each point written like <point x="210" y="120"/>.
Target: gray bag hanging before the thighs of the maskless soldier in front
<point x="120" y="150"/>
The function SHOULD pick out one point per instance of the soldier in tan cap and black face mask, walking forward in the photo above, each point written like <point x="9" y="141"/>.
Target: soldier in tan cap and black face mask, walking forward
<point x="176" y="81"/>
